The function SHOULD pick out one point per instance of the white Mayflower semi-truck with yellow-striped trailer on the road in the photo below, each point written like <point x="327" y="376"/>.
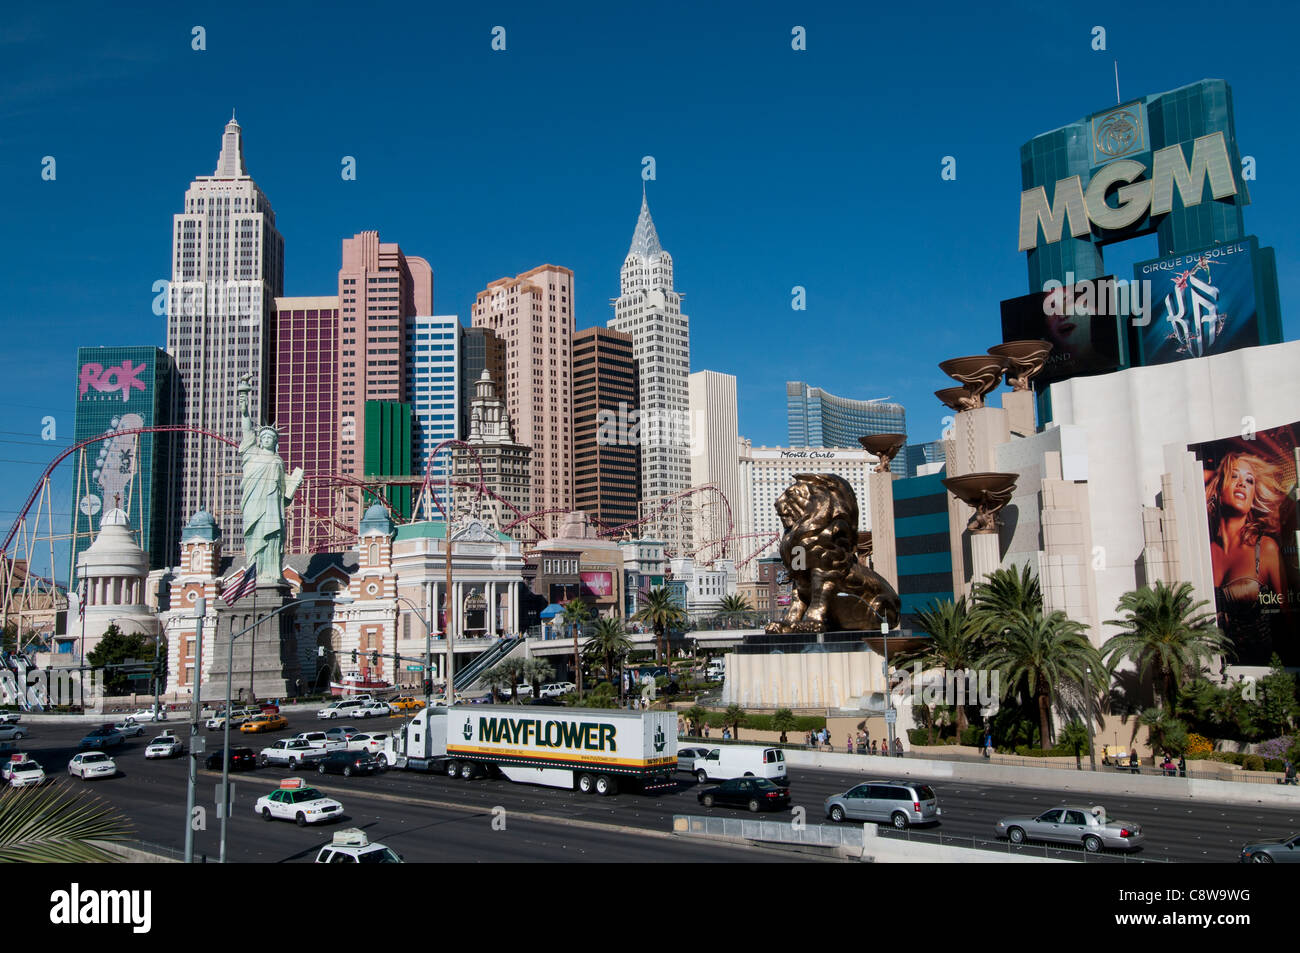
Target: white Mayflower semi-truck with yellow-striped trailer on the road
<point x="591" y="750"/>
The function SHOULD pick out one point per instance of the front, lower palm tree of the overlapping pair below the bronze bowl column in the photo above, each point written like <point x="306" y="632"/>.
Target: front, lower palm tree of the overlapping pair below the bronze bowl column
<point x="1035" y="655"/>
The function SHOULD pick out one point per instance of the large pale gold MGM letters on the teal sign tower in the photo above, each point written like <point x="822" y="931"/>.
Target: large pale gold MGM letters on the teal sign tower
<point x="1169" y="171"/>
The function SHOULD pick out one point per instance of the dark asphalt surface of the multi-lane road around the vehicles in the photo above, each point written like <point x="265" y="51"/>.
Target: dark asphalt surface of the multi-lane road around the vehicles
<point x="436" y="818"/>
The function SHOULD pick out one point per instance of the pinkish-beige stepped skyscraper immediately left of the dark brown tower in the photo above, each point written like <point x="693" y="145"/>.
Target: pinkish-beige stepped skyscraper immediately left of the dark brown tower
<point x="534" y="314"/>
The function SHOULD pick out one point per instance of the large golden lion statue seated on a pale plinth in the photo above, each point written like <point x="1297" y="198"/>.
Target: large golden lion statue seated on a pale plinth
<point x="831" y="590"/>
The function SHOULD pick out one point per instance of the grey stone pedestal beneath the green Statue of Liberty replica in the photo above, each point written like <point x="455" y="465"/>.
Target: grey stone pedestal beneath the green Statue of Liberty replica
<point x="266" y="662"/>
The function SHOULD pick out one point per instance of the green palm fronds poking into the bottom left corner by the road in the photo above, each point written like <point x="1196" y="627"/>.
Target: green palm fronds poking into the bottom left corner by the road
<point x="57" y="826"/>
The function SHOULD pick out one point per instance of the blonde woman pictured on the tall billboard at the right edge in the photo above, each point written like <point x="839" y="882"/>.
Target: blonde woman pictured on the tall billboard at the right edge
<point x="1243" y="500"/>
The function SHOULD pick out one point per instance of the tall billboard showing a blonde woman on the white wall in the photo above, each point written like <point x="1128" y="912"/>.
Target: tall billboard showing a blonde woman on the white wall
<point x="1251" y="509"/>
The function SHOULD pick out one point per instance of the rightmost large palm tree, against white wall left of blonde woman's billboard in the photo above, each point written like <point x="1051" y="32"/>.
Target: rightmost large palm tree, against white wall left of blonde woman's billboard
<point x="1167" y="634"/>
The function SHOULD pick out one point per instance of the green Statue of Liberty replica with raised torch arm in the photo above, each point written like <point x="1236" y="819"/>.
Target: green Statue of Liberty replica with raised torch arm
<point x="266" y="495"/>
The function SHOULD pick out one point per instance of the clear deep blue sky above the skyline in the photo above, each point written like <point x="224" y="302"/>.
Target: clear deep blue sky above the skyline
<point x="774" y="168"/>
